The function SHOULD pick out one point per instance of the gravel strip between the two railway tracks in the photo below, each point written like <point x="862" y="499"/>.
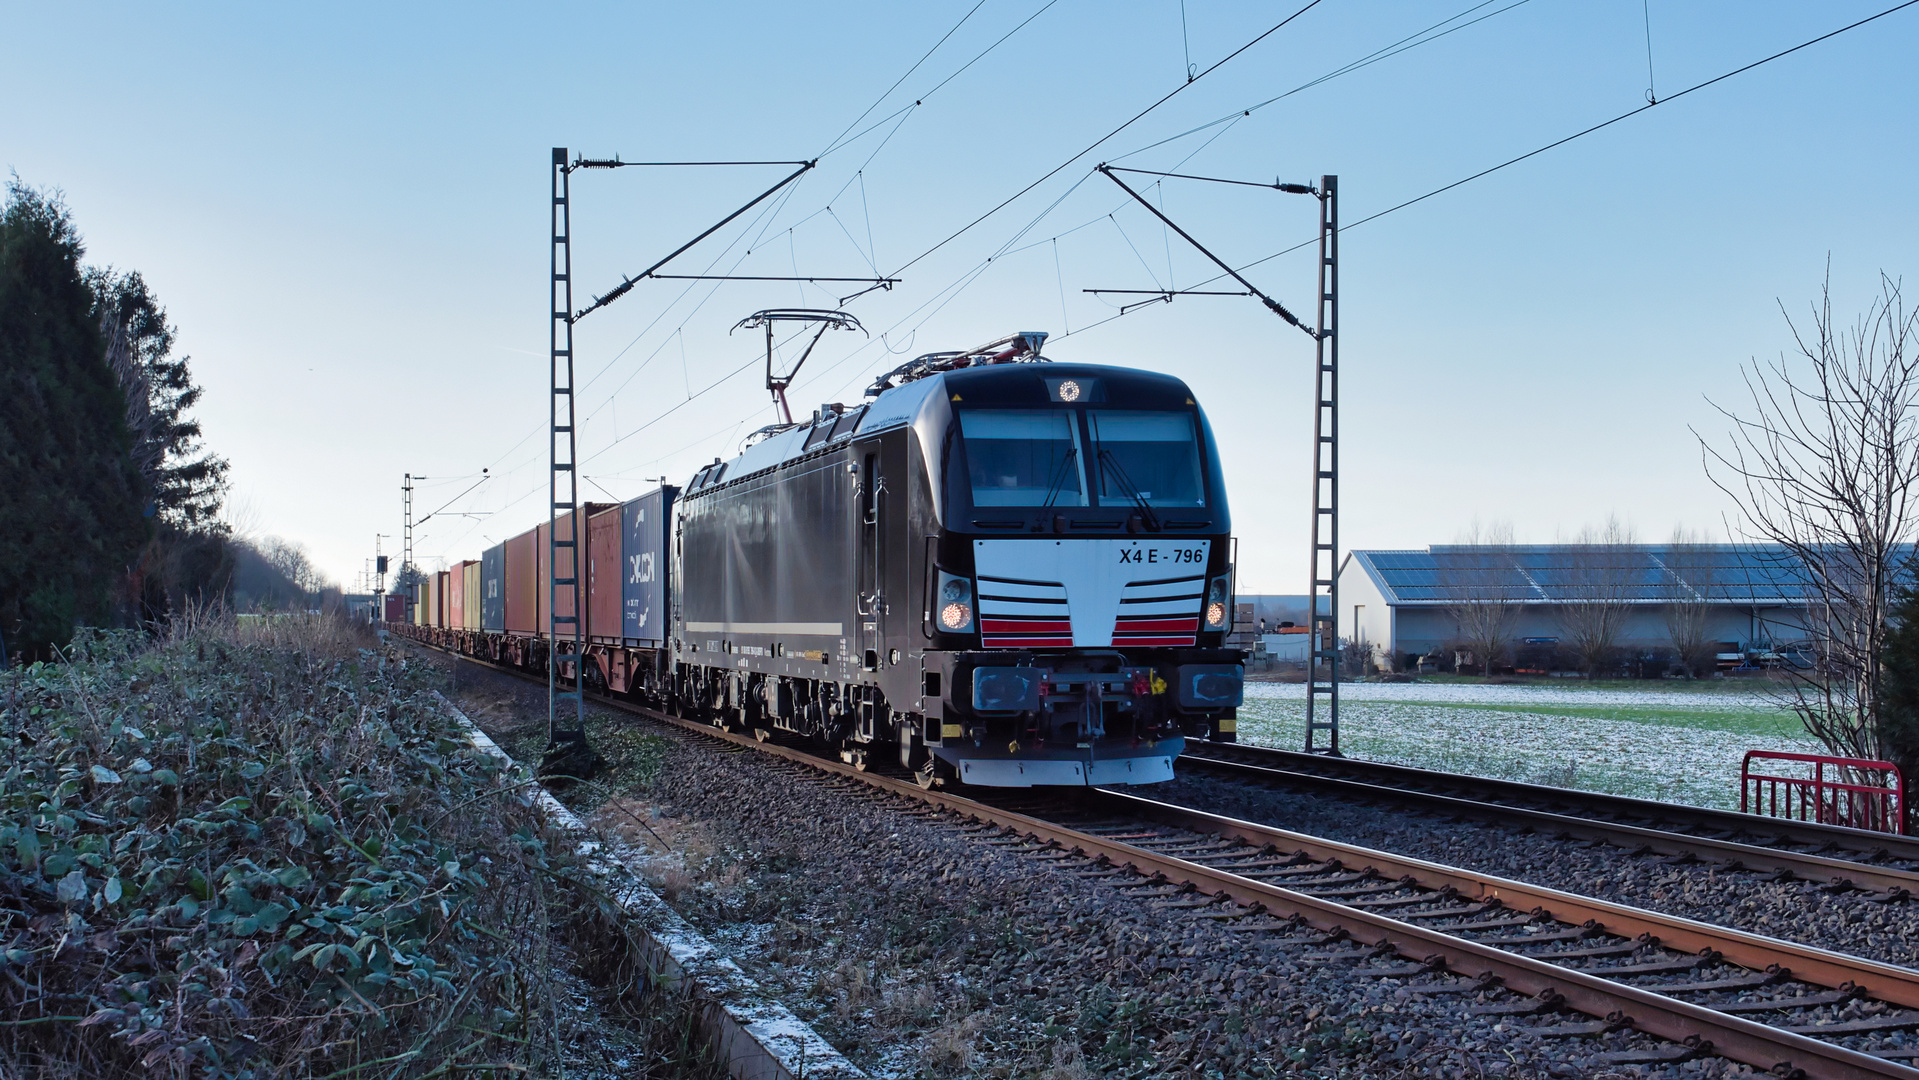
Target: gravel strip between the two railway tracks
<point x="1797" y="912"/>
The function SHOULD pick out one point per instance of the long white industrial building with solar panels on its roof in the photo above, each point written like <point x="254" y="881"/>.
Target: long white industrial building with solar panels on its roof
<point x="1408" y="605"/>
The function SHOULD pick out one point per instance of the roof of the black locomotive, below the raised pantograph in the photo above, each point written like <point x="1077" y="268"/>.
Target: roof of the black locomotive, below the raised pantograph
<point x="989" y="385"/>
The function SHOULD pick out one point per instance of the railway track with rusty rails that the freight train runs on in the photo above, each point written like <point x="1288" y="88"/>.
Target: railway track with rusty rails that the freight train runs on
<point x="1703" y="989"/>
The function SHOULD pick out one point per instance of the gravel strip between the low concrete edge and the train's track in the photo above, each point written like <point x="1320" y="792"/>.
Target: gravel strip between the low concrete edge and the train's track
<point x="926" y="951"/>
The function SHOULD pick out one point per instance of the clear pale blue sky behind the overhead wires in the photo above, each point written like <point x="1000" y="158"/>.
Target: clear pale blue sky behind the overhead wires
<point x="344" y="210"/>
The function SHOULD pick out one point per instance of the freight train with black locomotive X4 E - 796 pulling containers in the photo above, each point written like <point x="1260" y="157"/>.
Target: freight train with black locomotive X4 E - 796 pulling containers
<point x="999" y="569"/>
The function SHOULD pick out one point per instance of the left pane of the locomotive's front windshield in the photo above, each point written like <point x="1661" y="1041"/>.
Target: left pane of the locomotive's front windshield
<point x="1024" y="458"/>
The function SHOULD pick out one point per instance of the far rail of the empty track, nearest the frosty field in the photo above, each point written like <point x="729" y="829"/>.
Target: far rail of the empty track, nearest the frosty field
<point x="1788" y="830"/>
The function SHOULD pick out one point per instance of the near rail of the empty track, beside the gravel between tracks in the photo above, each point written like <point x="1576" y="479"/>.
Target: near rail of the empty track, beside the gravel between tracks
<point x="1891" y="881"/>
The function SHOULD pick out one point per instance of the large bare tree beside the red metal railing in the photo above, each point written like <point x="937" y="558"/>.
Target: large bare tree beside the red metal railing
<point x="1824" y="465"/>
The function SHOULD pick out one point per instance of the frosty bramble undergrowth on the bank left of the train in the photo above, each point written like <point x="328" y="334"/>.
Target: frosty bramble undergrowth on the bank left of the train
<point x="266" y="851"/>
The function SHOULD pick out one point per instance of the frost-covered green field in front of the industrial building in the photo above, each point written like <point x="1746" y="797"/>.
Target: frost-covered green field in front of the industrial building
<point x="1672" y="747"/>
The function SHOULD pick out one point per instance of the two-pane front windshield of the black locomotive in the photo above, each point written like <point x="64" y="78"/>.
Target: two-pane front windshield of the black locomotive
<point x="1043" y="458"/>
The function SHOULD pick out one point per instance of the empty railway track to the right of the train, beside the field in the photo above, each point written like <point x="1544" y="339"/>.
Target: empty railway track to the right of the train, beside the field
<point x="1839" y="858"/>
